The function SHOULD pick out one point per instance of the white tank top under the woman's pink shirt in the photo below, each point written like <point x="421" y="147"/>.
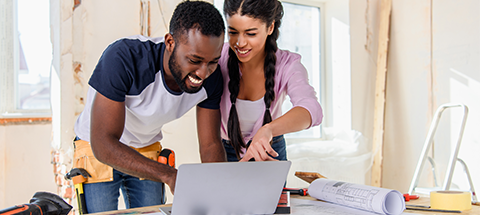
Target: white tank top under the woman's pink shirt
<point x="248" y="113"/>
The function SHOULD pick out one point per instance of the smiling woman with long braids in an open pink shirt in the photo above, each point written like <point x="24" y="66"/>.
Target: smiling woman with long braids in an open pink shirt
<point x="257" y="78"/>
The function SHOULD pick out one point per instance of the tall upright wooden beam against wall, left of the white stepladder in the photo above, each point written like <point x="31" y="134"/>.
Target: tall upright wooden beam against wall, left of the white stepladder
<point x="380" y="87"/>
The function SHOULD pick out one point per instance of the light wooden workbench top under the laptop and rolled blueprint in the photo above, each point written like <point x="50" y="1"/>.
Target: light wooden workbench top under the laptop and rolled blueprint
<point x="421" y="201"/>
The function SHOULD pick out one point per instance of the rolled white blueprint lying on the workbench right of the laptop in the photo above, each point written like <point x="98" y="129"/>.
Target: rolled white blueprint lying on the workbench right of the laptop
<point x="364" y="197"/>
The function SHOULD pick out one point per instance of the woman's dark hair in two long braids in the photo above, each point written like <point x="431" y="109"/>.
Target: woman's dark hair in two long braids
<point x="269" y="11"/>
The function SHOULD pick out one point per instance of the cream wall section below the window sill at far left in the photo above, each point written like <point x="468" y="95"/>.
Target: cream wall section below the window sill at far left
<point x="25" y="163"/>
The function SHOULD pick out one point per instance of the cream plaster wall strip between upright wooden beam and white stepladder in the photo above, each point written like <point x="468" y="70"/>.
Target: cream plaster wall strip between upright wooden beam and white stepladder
<point x="407" y="111"/>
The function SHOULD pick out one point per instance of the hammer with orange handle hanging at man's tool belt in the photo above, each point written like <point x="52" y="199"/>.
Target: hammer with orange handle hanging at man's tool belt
<point x="79" y="175"/>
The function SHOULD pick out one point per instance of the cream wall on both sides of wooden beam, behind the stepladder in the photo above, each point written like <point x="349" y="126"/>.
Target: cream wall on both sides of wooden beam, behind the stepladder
<point x="433" y="59"/>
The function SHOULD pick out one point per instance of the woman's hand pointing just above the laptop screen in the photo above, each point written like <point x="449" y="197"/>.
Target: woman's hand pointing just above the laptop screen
<point x="260" y="147"/>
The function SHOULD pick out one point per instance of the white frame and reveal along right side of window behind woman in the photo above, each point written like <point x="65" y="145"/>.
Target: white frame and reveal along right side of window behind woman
<point x="335" y="65"/>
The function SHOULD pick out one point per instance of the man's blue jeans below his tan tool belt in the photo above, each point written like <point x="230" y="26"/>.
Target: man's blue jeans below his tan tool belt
<point x="103" y="196"/>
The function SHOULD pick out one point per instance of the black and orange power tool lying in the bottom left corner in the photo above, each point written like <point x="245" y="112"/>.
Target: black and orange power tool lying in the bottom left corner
<point x="42" y="203"/>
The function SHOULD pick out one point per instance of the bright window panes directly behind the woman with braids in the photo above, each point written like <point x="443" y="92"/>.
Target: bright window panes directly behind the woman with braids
<point x="300" y="33"/>
